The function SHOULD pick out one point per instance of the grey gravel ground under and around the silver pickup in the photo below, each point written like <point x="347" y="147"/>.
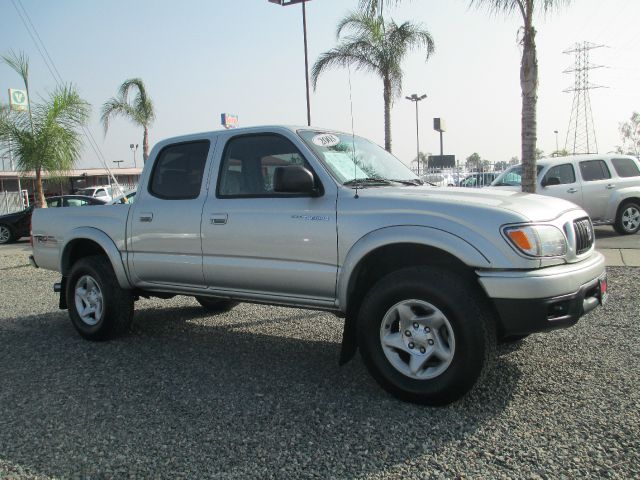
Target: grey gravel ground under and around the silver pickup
<point x="257" y="393"/>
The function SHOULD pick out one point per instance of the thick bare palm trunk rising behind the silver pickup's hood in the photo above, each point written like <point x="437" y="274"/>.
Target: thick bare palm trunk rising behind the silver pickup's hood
<point x="529" y="86"/>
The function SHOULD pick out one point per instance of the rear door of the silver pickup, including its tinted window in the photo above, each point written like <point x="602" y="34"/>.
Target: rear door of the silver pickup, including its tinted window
<point x="164" y="244"/>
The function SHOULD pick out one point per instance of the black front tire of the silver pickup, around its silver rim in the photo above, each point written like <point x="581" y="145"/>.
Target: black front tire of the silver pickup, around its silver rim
<point x="469" y="317"/>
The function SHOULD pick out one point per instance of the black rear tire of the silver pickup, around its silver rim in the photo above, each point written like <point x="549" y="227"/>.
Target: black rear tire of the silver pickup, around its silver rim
<point x="116" y="310"/>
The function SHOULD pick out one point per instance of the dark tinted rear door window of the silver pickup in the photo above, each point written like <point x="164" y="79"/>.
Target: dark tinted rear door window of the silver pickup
<point x="177" y="173"/>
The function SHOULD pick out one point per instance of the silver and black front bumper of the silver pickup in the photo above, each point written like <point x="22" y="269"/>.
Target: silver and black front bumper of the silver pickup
<point x="545" y="299"/>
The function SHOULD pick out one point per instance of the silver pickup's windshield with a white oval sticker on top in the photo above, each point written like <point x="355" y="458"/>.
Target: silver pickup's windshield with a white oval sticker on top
<point x="355" y="161"/>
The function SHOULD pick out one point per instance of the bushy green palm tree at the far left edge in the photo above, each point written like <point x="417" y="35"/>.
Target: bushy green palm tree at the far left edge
<point x="45" y="138"/>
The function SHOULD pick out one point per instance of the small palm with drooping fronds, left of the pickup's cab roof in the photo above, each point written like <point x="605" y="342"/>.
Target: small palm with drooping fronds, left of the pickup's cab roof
<point x="140" y="112"/>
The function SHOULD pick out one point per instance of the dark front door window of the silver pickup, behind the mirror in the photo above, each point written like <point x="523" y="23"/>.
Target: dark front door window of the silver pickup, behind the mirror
<point x="249" y="163"/>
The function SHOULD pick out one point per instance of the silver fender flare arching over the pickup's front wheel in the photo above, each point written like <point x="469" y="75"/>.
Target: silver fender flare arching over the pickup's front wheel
<point x="421" y="235"/>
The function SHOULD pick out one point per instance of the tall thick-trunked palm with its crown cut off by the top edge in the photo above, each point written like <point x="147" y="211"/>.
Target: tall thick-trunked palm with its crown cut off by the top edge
<point x="528" y="75"/>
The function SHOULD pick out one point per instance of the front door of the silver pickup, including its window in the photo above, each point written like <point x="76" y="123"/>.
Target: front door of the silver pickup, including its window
<point x="260" y="242"/>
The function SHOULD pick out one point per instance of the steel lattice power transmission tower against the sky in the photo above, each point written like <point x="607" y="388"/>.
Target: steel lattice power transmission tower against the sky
<point x="581" y="134"/>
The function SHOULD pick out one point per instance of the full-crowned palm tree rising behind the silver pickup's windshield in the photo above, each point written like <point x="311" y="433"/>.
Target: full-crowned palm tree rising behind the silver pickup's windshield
<point x="376" y="47"/>
